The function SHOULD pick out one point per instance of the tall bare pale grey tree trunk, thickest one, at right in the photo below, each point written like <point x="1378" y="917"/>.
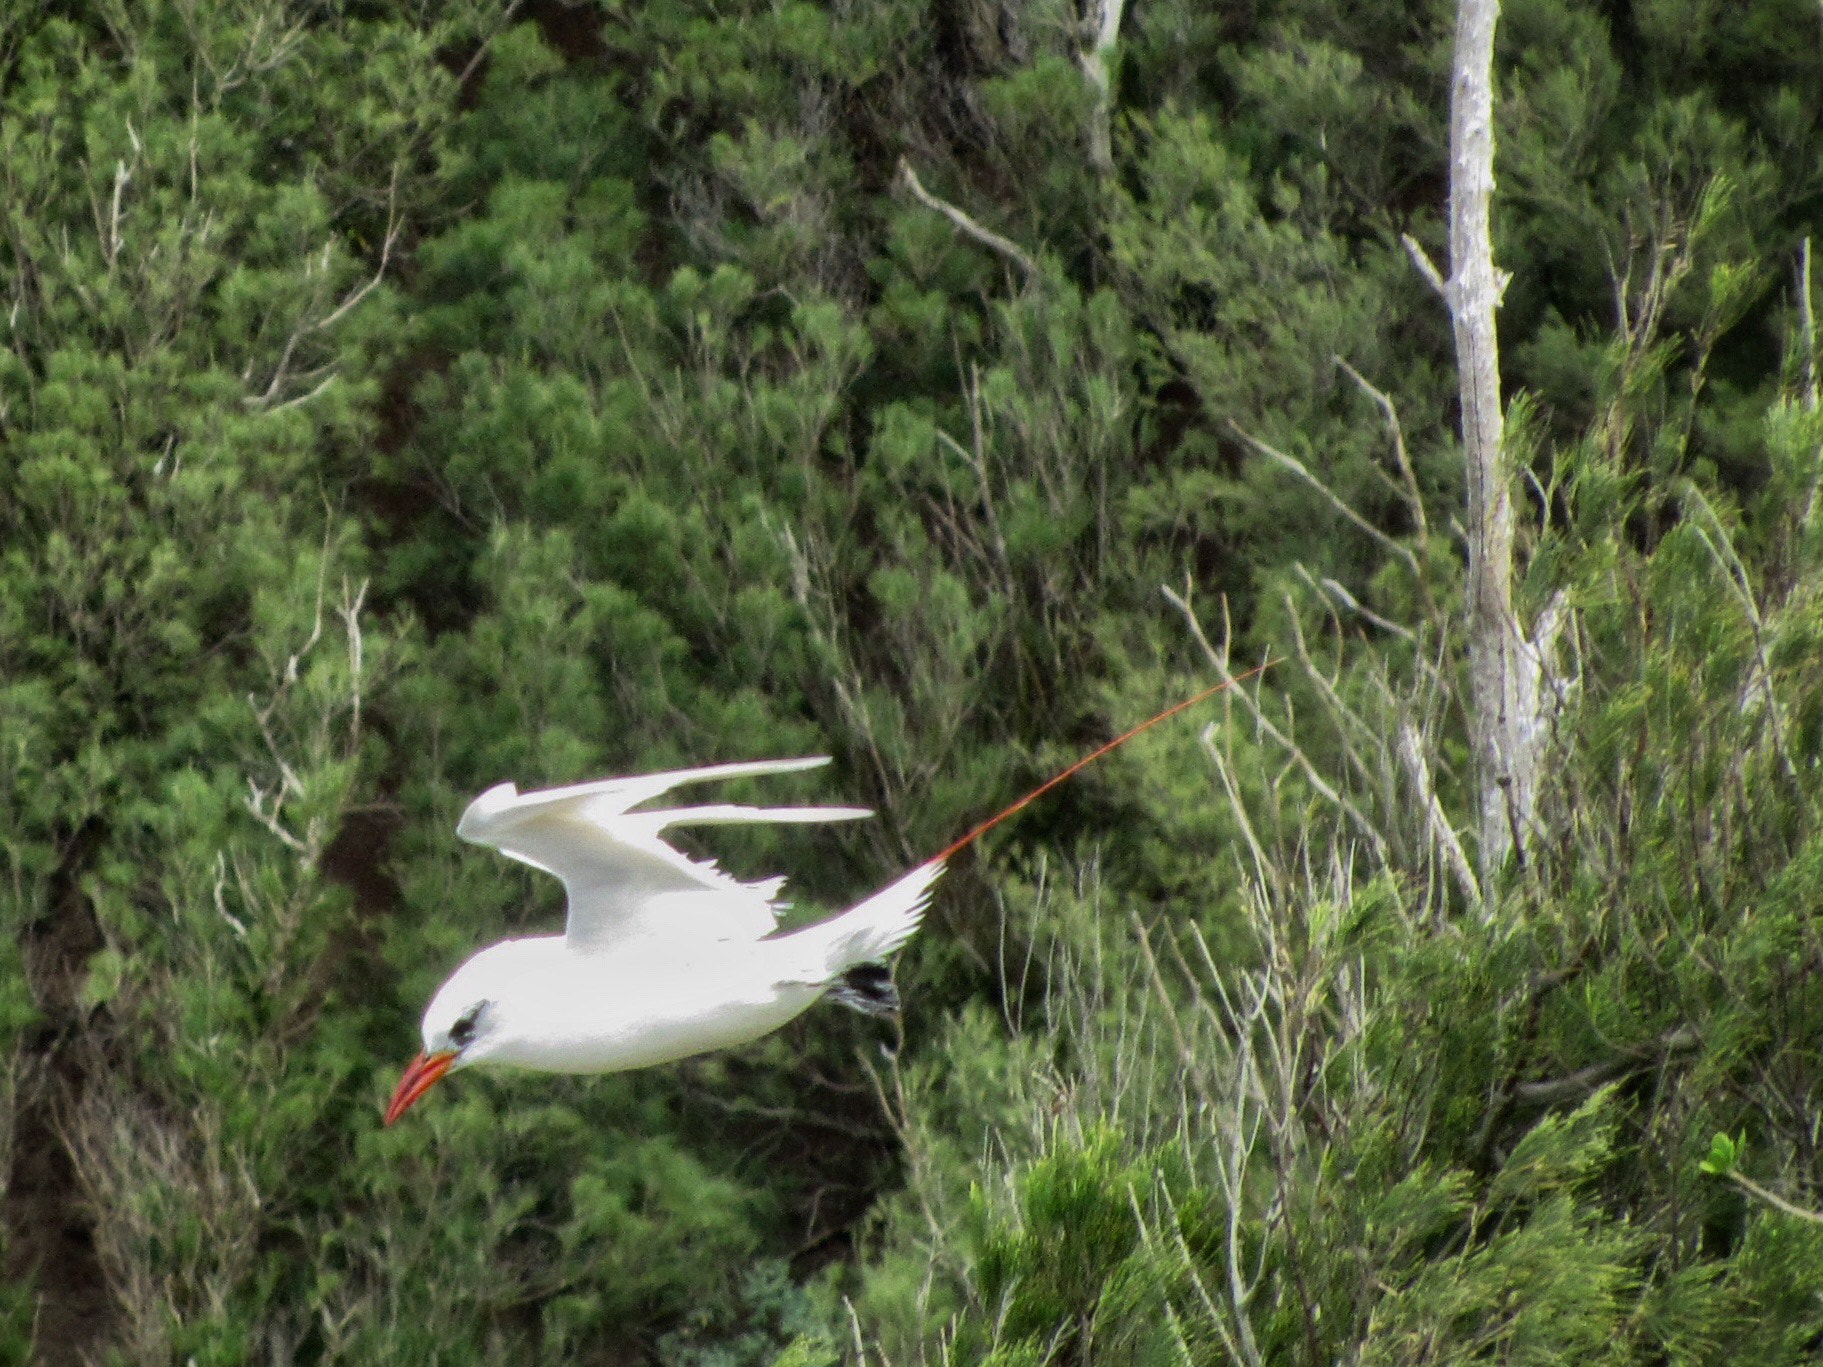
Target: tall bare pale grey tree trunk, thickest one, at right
<point x="1509" y="699"/>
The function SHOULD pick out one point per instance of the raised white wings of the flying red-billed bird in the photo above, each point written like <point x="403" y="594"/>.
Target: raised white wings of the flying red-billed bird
<point x="623" y="879"/>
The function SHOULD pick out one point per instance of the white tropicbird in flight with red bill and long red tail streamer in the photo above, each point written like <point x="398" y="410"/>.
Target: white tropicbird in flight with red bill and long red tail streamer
<point x="663" y="956"/>
